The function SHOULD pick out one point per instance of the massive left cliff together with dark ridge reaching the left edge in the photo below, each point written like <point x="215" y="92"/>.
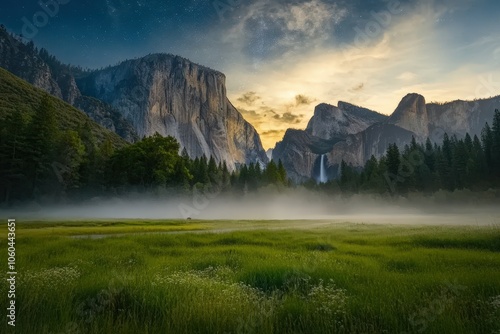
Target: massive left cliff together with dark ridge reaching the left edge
<point x="159" y="93"/>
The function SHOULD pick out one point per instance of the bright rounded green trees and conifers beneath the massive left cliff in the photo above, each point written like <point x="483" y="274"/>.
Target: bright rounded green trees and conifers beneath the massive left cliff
<point x="154" y="163"/>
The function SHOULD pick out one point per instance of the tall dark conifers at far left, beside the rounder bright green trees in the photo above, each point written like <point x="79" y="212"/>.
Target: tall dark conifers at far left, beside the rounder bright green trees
<point x="39" y="159"/>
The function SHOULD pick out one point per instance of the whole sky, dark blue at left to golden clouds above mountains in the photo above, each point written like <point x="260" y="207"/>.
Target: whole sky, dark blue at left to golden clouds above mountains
<point x="282" y="58"/>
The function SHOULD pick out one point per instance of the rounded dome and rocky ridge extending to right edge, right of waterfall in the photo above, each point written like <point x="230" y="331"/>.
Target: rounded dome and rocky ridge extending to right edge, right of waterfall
<point x="414" y="118"/>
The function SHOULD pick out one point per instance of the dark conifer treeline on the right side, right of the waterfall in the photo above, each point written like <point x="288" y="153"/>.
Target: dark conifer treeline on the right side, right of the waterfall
<point x="470" y="163"/>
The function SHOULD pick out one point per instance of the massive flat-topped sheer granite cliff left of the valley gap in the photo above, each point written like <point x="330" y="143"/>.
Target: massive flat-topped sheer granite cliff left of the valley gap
<point x="173" y="96"/>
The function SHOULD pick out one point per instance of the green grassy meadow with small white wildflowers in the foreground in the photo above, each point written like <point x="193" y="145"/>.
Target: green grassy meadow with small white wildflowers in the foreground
<point x="253" y="277"/>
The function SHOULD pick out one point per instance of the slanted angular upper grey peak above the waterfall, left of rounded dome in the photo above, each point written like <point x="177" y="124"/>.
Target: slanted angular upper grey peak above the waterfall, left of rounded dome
<point x="346" y="119"/>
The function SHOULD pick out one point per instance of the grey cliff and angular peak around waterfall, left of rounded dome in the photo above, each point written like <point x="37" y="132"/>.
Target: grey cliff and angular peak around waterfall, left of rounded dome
<point x="300" y="151"/>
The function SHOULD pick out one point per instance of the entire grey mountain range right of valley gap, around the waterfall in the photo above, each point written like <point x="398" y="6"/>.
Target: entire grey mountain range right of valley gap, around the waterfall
<point x="354" y="134"/>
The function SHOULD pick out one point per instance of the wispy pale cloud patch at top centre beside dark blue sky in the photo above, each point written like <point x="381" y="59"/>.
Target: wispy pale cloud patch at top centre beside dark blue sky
<point x="267" y="29"/>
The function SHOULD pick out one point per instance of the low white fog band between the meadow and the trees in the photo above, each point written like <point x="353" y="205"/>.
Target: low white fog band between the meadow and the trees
<point x="297" y="205"/>
